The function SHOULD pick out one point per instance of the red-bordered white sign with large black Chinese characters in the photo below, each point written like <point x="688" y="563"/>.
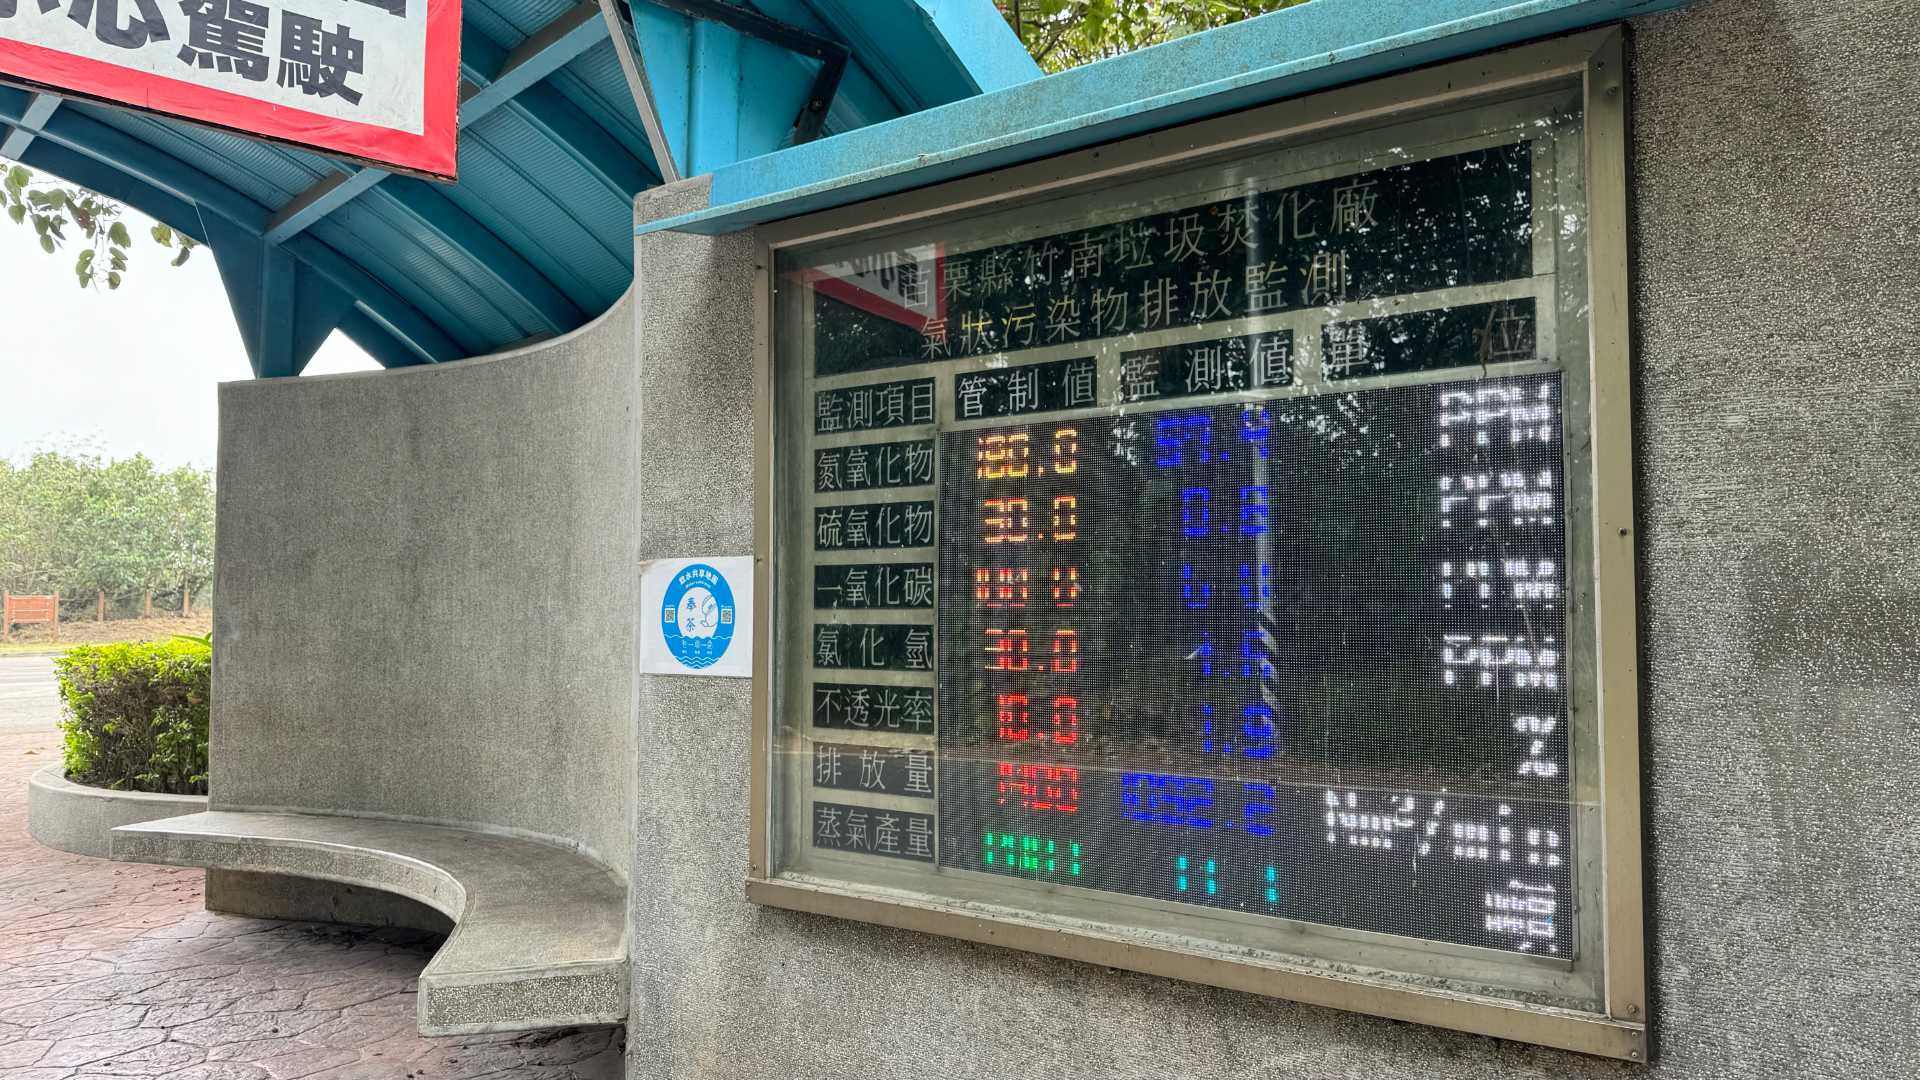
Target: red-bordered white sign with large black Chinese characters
<point x="368" y="80"/>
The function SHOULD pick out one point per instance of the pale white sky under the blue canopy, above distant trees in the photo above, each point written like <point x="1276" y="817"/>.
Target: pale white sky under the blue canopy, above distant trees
<point x="130" y="372"/>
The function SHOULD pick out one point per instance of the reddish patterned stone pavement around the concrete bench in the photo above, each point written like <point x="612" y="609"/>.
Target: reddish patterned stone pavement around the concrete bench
<point x="118" y="971"/>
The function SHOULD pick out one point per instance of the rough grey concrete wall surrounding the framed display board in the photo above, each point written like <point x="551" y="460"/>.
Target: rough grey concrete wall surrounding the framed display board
<point x="1779" y="428"/>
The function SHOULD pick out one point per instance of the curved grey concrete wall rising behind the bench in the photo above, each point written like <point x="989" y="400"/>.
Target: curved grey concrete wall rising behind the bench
<point x="427" y="593"/>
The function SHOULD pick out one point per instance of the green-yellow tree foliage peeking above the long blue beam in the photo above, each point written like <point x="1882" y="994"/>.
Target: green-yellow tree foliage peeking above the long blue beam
<point x="1065" y="34"/>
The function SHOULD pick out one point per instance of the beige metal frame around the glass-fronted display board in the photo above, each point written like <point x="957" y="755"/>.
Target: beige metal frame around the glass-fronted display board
<point x="1593" y="66"/>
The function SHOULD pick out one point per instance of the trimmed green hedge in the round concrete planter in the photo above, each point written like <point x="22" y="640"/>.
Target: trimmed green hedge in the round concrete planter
<point x="137" y="716"/>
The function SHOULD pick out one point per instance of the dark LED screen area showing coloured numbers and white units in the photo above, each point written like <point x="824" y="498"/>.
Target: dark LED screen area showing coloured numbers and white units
<point x="1293" y="658"/>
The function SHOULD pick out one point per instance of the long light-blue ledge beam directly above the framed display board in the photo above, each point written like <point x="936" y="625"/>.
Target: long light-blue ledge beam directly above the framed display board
<point x="1245" y="64"/>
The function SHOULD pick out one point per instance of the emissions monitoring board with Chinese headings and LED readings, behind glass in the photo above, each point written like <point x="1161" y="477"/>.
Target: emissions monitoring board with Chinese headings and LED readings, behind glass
<point x="1211" y="560"/>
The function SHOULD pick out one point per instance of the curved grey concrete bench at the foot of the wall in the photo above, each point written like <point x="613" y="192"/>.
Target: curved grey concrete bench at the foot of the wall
<point x="539" y="933"/>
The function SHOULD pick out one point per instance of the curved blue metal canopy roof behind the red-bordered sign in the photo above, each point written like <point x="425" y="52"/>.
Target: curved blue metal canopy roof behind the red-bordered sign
<point x="562" y="124"/>
